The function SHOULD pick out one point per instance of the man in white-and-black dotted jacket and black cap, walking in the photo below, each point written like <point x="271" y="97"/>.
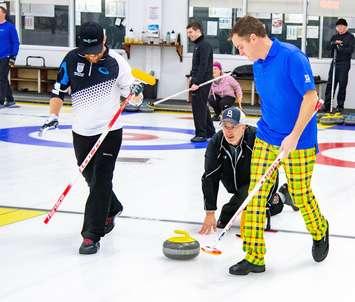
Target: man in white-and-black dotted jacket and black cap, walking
<point x="97" y="79"/>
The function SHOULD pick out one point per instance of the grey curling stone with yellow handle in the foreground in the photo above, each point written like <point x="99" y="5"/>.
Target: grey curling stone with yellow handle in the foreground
<point x="181" y="247"/>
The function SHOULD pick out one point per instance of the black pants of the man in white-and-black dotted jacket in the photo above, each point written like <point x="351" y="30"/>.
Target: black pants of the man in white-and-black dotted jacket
<point x="102" y="201"/>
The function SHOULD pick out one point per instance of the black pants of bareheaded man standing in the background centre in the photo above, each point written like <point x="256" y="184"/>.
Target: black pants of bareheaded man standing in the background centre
<point x="202" y="117"/>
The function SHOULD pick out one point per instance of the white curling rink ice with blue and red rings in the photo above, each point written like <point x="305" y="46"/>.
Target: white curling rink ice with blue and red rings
<point x="157" y="178"/>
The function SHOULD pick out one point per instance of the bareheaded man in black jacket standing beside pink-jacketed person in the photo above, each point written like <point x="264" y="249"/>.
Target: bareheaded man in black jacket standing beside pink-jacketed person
<point x="201" y="72"/>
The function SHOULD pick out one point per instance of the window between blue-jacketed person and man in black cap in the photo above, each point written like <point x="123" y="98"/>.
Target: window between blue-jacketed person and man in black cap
<point x="45" y="22"/>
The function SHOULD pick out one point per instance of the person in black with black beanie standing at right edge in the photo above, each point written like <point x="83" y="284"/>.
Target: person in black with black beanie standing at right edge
<point x="342" y="46"/>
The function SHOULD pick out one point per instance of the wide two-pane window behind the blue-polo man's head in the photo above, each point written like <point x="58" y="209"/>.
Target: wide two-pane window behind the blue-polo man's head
<point x="283" y="20"/>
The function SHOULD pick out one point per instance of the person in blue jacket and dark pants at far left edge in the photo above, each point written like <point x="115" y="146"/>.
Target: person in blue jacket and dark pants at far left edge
<point x="8" y="52"/>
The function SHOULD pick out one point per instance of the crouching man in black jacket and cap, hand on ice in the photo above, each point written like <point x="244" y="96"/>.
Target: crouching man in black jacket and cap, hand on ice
<point x="227" y="159"/>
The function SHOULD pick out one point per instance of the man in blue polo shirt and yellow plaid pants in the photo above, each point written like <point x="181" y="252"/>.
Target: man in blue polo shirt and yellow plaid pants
<point x="285" y="84"/>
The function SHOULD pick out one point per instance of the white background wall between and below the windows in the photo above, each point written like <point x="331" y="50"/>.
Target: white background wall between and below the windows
<point x="165" y="62"/>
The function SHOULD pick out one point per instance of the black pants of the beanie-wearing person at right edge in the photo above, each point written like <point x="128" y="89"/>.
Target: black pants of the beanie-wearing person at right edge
<point x="341" y="78"/>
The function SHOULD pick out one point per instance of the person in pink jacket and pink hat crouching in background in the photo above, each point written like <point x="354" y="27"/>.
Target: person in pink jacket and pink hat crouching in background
<point x="224" y="93"/>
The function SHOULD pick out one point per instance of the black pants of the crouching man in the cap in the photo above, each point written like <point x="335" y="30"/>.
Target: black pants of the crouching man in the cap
<point x="229" y="209"/>
